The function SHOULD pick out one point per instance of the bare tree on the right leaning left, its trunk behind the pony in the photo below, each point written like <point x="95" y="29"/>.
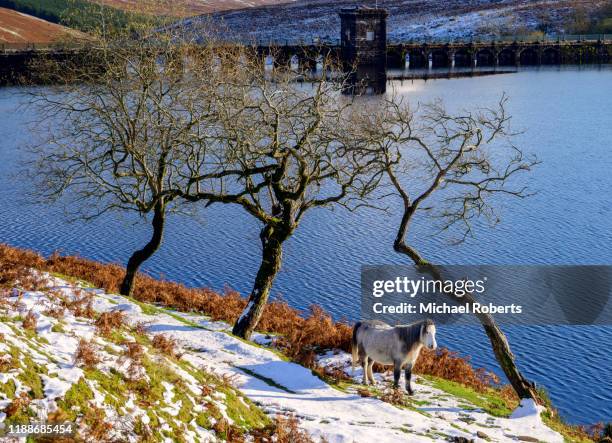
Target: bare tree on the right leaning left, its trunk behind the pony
<point x="452" y="168"/>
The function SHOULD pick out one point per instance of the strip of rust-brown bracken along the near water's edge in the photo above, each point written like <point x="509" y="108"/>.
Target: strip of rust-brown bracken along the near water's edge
<point x="227" y="307"/>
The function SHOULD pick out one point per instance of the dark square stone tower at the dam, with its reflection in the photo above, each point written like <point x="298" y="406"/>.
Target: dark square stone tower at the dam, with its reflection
<point x="363" y="42"/>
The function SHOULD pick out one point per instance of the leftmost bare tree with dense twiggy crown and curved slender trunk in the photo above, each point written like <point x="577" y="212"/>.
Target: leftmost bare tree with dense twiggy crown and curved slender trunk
<point x="122" y="127"/>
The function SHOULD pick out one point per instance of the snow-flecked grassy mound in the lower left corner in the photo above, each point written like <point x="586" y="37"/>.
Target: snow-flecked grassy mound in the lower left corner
<point x="119" y="372"/>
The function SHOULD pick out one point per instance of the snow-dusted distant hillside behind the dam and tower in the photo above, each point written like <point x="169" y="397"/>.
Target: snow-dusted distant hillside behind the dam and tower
<point x="304" y="20"/>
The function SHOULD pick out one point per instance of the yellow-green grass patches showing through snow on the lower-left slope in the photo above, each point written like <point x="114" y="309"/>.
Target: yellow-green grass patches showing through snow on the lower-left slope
<point x="148" y="392"/>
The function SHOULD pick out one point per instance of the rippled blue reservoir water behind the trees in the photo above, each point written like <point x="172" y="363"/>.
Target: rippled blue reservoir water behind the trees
<point x="567" y="118"/>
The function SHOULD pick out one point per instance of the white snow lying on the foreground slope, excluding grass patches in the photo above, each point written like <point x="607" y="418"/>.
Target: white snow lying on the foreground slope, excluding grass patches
<point x="277" y="386"/>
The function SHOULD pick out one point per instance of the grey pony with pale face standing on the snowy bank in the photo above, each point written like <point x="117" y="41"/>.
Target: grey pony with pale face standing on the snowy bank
<point x="376" y="342"/>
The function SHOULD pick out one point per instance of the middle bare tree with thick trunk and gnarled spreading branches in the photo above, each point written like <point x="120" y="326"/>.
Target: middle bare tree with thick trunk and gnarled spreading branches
<point x="289" y="139"/>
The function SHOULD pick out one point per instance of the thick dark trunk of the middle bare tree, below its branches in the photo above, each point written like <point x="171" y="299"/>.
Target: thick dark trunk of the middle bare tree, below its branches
<point x="272" y="242"/>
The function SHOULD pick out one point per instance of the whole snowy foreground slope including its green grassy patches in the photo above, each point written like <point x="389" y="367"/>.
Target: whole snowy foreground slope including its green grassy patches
<point x="170" y="400"/>
